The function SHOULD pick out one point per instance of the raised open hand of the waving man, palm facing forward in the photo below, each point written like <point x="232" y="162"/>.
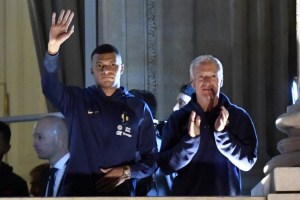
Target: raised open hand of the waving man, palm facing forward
<point x="60" y="31"/>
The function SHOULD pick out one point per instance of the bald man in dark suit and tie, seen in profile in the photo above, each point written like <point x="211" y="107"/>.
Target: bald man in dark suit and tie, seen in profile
<point x="50" y="141"/>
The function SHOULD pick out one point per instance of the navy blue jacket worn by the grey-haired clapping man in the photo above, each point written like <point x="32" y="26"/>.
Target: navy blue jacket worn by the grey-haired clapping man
<point x="209" y="164"/>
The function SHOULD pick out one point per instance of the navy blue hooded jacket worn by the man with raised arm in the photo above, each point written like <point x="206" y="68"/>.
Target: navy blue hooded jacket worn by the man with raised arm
<point x="104" y="132"/>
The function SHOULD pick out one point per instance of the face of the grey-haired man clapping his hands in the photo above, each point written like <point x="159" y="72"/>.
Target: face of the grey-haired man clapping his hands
<point x="207" y="80"/>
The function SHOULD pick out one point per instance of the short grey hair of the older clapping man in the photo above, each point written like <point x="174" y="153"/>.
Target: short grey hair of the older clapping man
<point x="205" y="58"/>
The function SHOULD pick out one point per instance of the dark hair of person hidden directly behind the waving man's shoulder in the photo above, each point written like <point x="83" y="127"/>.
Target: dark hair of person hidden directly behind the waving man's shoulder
<point x="148" y="97"/>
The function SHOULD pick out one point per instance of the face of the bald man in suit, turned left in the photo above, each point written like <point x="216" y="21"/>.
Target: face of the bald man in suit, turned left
<point x="45" y="141"/>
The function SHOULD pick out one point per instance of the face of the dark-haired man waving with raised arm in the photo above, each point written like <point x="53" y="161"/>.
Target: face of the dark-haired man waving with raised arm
<point x="107" y="69"/>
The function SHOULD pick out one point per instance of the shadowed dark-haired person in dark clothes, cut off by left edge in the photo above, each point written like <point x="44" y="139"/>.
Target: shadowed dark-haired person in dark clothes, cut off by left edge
<point x="11" y="184"/>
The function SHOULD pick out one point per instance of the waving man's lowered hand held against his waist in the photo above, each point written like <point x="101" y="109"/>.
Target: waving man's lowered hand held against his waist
<point x="112" y="177"/>
